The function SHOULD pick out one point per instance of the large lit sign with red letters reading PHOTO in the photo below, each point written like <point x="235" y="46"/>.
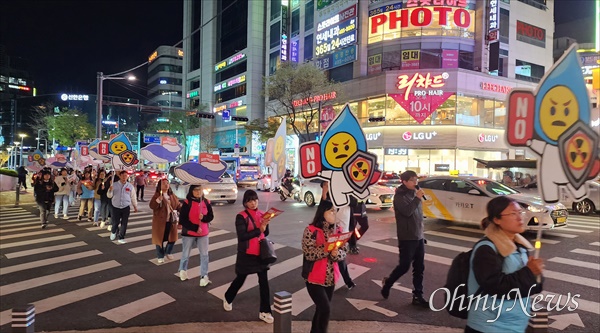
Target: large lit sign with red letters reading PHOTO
<point x="391" y="22"/>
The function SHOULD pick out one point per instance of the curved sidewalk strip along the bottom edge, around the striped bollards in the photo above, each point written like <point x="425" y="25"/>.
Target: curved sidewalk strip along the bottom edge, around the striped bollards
<point x="297" y="326"/>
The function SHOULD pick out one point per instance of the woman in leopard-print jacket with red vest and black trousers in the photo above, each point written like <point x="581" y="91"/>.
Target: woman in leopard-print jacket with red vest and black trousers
<point x="320" y="267"/>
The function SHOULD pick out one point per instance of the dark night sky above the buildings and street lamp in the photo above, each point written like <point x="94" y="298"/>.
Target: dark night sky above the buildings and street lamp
<point x="66" y="42"/>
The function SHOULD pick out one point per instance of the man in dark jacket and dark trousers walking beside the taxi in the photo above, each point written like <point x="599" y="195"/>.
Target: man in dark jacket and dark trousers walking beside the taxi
<point x="408" y="211"/>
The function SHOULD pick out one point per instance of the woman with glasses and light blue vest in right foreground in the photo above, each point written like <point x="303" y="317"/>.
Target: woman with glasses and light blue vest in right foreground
<point x="499" y="264"/>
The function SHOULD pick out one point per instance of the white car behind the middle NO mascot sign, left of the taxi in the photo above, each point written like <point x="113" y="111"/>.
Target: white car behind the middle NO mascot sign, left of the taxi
<point x="381" y="197"/>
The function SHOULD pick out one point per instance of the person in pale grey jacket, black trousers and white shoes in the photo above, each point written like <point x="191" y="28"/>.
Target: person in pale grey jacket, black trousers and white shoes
<point x="123" y="197"/>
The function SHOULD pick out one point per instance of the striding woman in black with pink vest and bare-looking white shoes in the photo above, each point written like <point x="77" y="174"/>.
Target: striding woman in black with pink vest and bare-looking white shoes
<point x="251" y="227"/>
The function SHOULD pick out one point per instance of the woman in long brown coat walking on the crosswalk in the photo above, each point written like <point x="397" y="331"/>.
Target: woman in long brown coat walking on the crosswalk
<point x="163" y="202"/>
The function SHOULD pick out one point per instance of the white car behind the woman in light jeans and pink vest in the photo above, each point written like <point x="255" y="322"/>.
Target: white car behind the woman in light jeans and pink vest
<point x="223" y="190"/>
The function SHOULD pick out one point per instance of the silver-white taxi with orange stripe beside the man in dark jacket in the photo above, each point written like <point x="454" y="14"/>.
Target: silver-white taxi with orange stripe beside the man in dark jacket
<point x="464" y="199"/>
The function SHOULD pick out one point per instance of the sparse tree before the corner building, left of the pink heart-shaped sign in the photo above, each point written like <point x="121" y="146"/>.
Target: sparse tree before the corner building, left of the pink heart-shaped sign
<point x="299" y="82"/>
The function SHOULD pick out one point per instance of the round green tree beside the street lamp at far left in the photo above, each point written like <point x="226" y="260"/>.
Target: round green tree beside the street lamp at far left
<point x="68" y="126"/>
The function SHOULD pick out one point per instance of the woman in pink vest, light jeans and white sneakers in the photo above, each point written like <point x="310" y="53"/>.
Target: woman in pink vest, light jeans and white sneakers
<point x="196" y="213"/>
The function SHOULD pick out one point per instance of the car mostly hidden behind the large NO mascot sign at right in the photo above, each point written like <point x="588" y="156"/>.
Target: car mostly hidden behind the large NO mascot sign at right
<point x="586" y="206"/>
